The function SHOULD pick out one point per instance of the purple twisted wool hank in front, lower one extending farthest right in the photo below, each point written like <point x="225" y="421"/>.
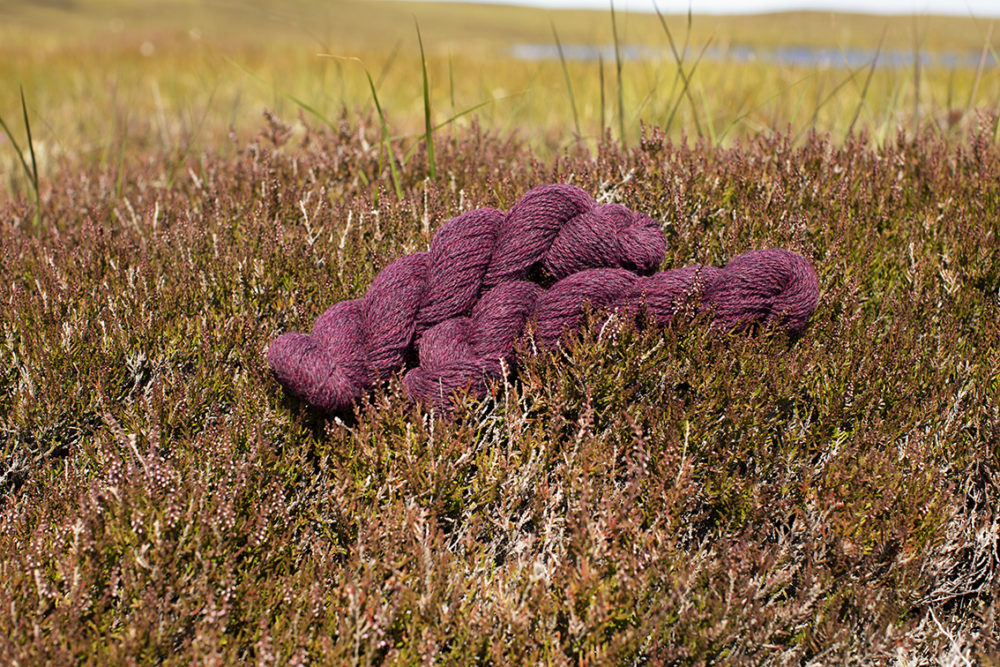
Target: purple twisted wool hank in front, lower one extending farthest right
<point x="763" y="287"/>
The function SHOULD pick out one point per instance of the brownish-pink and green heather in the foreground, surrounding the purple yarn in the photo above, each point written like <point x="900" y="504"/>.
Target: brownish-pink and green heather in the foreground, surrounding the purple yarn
<point x="634" y="495"/>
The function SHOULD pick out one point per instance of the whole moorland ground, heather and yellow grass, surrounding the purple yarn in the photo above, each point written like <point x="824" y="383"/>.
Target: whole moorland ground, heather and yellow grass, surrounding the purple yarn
<point x="638" y="497"/>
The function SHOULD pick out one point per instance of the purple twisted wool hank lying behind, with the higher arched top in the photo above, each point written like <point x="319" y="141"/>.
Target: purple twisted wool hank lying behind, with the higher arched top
<point x="558" y="228"/>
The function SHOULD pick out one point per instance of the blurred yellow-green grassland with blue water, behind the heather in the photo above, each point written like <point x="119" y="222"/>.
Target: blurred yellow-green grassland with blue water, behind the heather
<point x="103" y="79"/>
